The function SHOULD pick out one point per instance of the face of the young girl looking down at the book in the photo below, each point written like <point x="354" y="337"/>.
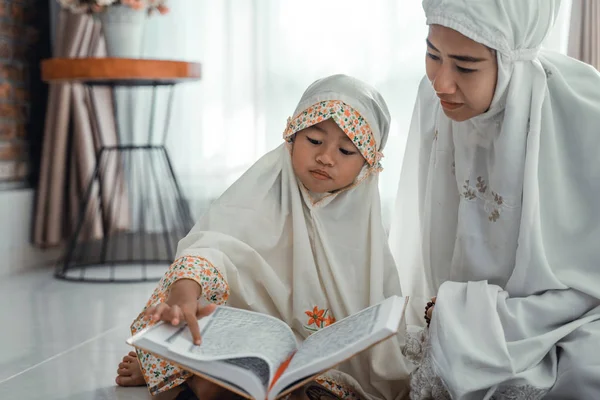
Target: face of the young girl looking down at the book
<point x="324" y="158"/>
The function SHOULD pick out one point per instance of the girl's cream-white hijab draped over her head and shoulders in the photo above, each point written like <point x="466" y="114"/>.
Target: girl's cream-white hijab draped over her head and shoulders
<point x="284" y="251"/>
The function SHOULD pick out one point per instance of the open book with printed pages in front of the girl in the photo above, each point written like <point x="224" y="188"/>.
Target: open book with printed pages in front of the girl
<point x="258" y="357"/>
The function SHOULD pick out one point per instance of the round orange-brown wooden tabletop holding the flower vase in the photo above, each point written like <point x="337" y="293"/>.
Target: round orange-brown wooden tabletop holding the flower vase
<point x="118" y="71"/>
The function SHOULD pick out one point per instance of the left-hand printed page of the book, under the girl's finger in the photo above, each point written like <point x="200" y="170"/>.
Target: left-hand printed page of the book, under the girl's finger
<point x="248" y="340"/>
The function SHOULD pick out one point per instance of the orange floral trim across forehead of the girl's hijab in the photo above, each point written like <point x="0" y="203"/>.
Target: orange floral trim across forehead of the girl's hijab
<point x="348" y="119"/>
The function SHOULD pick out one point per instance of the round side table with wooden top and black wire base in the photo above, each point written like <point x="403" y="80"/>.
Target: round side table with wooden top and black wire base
<point x="133" y="193"/>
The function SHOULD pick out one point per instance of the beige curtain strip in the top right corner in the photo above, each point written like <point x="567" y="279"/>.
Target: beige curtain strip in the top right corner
<point x="584" y="35"/>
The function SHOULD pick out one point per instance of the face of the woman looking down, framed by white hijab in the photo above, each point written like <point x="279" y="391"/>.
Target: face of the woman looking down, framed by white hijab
<point x="463" y="73"/>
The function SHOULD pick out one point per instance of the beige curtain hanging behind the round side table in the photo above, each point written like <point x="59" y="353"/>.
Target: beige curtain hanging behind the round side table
<point x="71" y="140"/>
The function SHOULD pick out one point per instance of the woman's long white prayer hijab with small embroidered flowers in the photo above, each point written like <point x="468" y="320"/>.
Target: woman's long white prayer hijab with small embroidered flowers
<point x="498" y="215"/>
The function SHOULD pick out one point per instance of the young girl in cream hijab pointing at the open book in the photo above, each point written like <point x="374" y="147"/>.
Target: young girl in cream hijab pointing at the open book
<point x="299" y="237"/>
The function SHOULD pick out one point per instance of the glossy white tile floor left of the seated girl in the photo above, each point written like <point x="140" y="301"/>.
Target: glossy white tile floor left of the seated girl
<point x="64" y="340"/>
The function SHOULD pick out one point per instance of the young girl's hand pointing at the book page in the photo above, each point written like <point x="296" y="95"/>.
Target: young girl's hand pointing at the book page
<point x="182" y="305"/>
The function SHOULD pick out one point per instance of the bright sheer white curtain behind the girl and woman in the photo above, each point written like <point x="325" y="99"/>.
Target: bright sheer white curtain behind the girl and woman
<point x="258" y="56"/>
